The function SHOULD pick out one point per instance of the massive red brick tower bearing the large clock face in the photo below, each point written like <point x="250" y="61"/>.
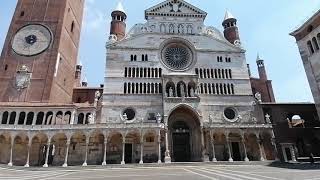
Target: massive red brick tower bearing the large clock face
<point x="39" y="58"/>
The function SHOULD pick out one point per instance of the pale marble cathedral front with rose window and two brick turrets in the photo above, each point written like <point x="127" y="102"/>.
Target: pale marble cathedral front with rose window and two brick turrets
<point x="184" y="84"/>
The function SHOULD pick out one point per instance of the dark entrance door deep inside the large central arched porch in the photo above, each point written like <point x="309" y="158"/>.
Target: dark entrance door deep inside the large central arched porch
<point x="181" y="147"/>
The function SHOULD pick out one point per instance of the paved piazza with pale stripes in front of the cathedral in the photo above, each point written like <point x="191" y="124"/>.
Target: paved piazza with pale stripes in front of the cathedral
<point x="185" y="172"/>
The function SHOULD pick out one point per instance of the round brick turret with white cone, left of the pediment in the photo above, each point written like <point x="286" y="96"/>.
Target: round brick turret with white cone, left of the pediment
<point x="118" y="23"/>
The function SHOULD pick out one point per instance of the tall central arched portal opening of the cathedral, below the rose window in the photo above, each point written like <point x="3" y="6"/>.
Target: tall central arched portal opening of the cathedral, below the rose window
<point x="184" y="129"/>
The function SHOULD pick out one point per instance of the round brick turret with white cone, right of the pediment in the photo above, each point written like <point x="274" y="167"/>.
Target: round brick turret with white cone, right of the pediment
<point x="231" y="32"/>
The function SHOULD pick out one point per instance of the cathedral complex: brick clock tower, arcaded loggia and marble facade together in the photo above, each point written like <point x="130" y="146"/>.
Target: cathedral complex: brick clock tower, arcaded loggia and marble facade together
<point x="176" y="90"/>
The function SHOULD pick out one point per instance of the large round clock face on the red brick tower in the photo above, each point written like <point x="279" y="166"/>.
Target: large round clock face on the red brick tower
<point x="32" y="40"/>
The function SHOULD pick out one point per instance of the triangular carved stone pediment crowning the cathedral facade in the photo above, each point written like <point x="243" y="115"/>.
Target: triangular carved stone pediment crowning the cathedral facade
<point x="177" y="8"/>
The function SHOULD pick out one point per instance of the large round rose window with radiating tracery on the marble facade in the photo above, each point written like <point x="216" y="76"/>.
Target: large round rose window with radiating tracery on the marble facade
<point x="177" y="56"/>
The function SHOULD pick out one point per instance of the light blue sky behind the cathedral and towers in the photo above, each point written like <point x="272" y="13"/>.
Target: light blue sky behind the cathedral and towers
<point x="264" y="27"/>
